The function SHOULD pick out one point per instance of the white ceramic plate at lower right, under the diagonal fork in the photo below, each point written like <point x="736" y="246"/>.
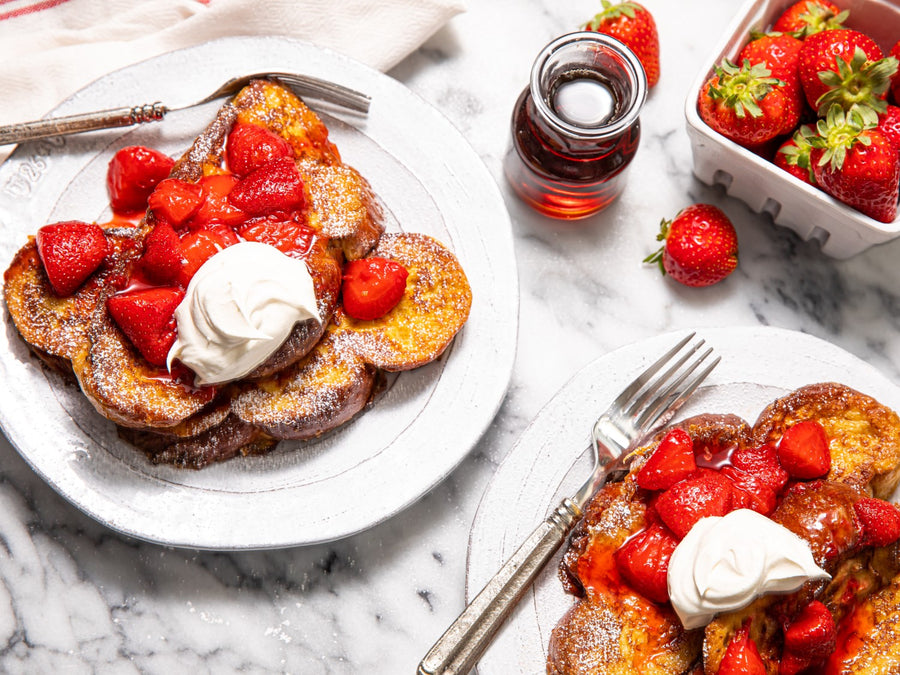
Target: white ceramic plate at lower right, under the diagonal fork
<point x="758" y="365"/>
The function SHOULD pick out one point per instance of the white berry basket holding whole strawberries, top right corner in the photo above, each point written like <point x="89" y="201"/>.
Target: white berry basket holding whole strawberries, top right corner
<point x="841" y="230"/>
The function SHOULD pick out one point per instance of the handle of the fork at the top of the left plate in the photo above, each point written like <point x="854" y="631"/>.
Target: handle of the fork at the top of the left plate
<point x="74" y="124"/>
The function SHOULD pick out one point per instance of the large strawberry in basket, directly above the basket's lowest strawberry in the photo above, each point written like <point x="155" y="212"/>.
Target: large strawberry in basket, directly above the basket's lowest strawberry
<point x="845" y="67"/>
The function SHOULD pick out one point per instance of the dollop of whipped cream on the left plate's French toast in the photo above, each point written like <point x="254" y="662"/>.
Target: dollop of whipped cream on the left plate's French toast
<point x="239" y="307"/>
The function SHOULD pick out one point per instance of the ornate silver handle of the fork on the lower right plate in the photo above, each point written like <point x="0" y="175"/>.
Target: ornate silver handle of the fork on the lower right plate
<point x="460" y="647"/>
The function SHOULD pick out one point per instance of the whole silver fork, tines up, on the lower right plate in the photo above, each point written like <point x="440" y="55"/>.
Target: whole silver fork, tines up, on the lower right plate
<point x="648" y="402"/>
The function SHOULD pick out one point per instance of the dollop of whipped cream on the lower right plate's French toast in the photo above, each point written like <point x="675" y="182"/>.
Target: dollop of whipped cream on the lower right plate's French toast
<point x="724" y="563"/>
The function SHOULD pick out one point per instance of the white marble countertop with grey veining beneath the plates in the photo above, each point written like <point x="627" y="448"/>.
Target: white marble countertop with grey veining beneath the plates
<point x="78" y="598"/>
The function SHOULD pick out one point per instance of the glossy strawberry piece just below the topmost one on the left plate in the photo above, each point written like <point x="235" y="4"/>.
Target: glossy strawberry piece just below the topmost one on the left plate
<point x="275" y="186"/>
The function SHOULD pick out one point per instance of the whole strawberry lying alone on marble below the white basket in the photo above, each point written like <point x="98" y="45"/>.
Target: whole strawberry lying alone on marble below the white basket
<point x="700" y="246"/>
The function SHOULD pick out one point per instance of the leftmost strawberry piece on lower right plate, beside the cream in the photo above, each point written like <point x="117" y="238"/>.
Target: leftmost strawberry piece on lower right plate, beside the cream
<point x="643" y="561"/>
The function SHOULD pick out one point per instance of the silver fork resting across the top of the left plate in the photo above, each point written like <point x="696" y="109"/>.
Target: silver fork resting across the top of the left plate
<point x="303" y="85"/>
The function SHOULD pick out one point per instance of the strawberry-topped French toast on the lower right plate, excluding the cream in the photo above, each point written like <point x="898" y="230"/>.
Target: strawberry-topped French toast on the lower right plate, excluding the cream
<point x="624" y="620"/>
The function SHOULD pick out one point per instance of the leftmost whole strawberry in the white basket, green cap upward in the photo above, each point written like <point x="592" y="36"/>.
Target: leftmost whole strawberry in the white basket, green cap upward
<point x="745" y="104"/>
